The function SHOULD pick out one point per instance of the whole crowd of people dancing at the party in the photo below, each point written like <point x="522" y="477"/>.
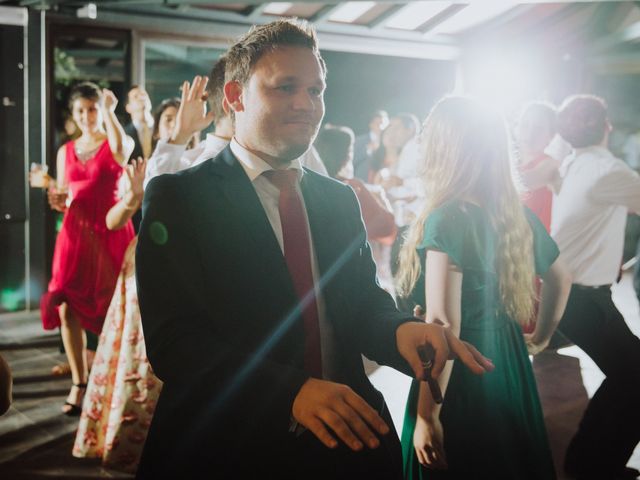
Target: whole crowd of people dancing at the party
<point x="275" y="252"/>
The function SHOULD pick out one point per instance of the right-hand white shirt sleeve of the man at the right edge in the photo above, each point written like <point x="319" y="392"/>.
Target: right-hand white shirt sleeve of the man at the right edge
<point x="619" y="186"/>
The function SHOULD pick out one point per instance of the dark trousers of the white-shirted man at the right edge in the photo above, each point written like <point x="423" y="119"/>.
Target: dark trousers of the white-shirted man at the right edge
<point x="610" y="427"/>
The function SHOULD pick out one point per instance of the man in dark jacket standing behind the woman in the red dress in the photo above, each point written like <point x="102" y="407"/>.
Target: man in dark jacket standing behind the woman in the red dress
<point x="141" y="127"/>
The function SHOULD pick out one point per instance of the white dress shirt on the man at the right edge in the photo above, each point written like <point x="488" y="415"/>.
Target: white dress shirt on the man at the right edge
<point x="590" y="213"/>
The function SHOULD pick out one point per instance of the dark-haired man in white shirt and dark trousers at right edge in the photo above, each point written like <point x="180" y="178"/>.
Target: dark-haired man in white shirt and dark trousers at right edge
<point x="589" y="215"/>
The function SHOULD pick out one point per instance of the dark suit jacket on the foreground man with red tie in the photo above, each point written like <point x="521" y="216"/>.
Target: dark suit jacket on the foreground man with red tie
<point x="223" y="333"/>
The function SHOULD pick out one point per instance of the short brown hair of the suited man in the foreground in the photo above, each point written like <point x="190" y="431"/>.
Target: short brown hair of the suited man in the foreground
<point x="244" y="54"/>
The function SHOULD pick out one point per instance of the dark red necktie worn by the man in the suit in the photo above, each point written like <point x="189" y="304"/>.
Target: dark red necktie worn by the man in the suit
<point x="297" y="254"/>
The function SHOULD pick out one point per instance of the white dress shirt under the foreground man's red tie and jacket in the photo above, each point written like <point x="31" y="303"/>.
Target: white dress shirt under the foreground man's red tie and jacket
<point x="269" y="196"/>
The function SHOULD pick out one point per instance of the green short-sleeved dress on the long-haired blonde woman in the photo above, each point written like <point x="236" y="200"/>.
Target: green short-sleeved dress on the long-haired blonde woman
<point x="493" y="424"/>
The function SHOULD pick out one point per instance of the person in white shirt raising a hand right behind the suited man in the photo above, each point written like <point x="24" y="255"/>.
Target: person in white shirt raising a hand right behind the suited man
<point x="172" y="156"/>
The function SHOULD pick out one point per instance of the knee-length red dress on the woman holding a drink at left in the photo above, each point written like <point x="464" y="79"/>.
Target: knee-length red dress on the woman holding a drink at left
<point x="87" y="256"/>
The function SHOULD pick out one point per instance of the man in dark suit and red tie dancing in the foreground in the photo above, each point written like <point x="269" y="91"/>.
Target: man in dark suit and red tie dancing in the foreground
<point x="258" y="295"/>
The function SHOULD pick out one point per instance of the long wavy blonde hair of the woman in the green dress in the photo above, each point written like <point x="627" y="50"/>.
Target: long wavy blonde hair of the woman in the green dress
<point x="466" y="156"/>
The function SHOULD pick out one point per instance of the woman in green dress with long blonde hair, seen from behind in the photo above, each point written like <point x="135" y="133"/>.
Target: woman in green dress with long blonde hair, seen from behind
<point x="471" y="258"/>
